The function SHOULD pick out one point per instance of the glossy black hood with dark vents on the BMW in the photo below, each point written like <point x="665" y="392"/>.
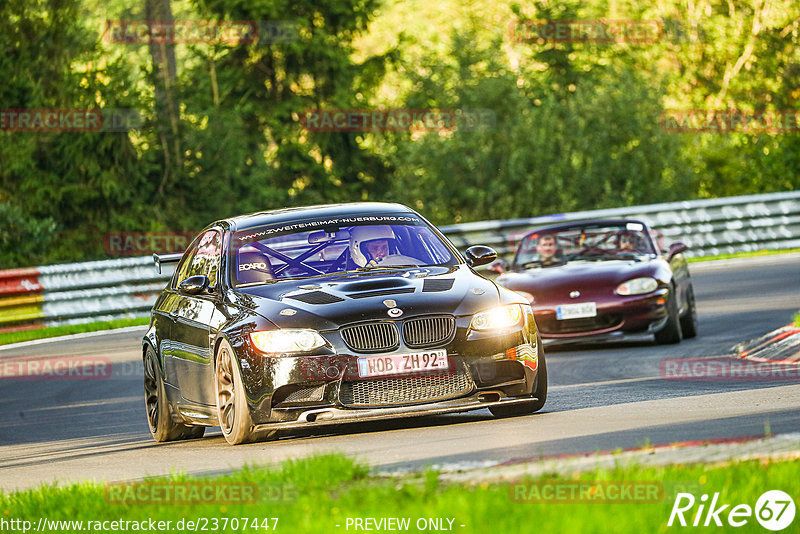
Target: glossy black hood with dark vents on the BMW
<point x="326" y="303"/>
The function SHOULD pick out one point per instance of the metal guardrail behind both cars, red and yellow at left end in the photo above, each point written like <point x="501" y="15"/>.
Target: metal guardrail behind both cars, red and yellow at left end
<point x="126" y="288"/>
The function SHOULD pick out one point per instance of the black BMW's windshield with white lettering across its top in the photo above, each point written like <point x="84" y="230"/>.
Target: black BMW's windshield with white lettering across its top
<point x="308" y="249"/>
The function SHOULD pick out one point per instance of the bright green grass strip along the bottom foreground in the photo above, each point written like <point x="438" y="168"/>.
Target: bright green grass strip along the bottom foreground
<point x="324" y="491"/>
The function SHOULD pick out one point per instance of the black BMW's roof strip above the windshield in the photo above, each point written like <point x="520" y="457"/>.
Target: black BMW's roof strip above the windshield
<point x="296" y="214"/>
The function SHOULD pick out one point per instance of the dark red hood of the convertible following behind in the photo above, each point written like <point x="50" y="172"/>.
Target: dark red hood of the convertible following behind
<point x="600" y="277"/>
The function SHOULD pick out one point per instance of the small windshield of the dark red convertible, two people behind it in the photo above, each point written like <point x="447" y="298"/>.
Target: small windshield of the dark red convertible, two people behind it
<point x="597" y="242"/>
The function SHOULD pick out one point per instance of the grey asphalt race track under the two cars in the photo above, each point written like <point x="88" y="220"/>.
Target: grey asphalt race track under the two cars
<point x="601" y="398"/>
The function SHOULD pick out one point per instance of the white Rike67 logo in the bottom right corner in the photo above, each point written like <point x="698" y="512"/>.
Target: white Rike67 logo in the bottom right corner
<point x="774" y="510"/>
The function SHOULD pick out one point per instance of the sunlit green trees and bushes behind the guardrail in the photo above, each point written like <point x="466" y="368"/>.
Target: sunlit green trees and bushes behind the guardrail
<point x="576" y="125"/>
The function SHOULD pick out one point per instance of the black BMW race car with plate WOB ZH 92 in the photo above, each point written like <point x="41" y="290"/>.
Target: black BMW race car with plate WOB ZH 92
<point x="331" y="314"/>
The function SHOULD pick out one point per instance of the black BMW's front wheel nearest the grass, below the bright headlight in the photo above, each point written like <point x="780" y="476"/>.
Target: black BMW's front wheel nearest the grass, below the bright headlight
<point x="232" y="411"/>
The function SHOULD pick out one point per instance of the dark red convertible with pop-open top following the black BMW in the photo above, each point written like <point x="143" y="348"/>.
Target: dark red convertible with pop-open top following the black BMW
<point x="603" y="280"/>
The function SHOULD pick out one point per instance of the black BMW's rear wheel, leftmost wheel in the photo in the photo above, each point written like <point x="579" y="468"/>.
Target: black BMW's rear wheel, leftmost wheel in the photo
<point x="157" y="409"/>
